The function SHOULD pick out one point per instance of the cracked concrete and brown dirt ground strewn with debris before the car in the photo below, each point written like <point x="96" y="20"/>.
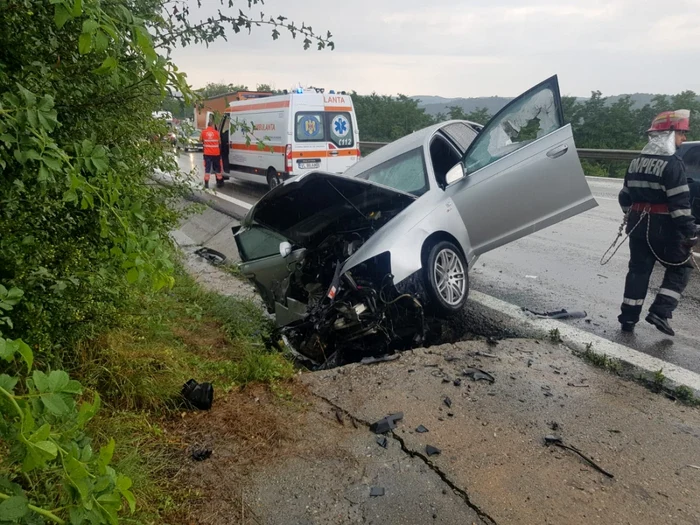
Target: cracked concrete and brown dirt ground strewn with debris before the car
<point x="303" y="453"/>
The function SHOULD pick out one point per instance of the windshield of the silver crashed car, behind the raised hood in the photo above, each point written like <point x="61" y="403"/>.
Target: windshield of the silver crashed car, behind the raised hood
<point x="405" y="172"/>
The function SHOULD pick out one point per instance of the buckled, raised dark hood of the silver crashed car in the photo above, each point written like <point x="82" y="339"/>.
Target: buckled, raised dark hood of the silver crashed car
<point x="310" y="207"/>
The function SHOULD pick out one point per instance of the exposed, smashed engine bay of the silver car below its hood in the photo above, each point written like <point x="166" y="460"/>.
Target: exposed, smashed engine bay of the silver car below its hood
<point x="354" y="315"/>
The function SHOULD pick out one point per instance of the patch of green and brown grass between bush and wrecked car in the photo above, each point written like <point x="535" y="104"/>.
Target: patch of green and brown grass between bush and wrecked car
<point x="140" y="367"/>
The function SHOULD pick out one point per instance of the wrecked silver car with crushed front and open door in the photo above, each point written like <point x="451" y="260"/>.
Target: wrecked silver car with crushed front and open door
<point x="357" y="264"/>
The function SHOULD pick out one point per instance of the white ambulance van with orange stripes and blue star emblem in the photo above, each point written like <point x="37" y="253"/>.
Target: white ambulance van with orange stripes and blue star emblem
<point x="302" y="131"/>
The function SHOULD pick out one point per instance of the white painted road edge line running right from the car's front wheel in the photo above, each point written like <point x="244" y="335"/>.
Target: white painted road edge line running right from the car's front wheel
<point x="578" y="339"/>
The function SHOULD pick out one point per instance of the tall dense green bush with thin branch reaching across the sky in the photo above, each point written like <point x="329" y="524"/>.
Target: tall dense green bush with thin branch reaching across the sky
<point x="80" y="220"/>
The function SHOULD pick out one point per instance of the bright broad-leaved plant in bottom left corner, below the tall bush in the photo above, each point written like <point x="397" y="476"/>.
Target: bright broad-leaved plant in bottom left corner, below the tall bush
<point x="51" y="459"/>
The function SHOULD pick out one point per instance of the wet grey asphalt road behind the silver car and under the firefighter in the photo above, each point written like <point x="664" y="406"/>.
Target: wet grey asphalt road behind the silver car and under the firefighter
<point x="556" y="268"/>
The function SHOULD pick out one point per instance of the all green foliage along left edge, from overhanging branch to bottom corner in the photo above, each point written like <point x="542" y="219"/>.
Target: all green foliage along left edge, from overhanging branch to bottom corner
<point x="83" y="229"/>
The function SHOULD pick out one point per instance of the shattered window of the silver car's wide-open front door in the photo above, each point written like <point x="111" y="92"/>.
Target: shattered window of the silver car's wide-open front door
<point x="533" y="115"/>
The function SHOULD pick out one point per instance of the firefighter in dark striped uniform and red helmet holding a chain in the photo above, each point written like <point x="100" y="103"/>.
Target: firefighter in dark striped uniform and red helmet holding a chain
<point x="660" y="223"/>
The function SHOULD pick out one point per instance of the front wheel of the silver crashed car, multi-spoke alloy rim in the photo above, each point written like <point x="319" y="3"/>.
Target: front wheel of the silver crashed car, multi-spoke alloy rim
<point x="446" y="278"/>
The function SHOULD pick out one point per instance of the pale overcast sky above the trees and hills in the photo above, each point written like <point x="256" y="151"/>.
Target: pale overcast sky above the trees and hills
<point x="463" y="48"/>
